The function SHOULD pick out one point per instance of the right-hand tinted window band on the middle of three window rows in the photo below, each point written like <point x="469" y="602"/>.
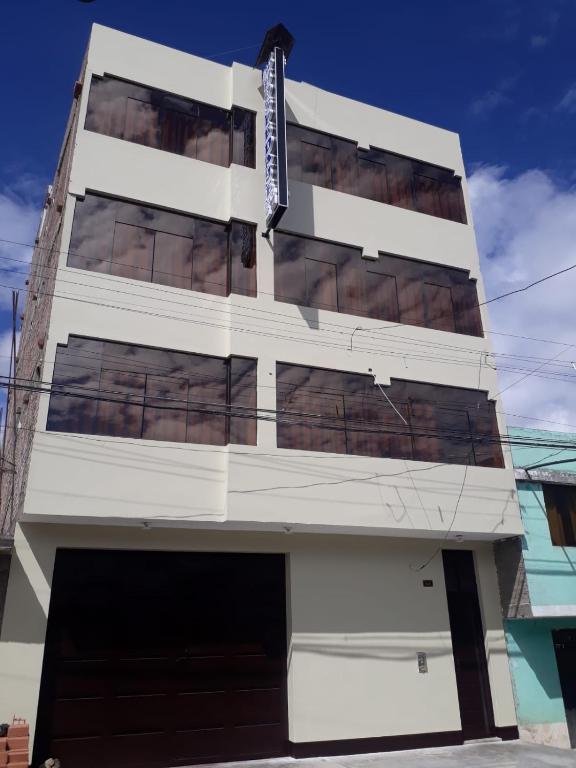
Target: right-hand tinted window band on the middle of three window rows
<point x="314" y="273"/>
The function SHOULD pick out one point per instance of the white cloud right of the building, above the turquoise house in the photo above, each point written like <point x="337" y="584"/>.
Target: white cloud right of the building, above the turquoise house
<point x="526" y="228"/>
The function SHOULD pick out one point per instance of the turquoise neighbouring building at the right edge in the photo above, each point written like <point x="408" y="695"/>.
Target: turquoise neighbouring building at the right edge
<point x="538" y="586"/>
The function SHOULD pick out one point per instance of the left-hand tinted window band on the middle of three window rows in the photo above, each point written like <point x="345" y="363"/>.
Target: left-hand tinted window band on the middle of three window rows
<point x="146" y="243"/>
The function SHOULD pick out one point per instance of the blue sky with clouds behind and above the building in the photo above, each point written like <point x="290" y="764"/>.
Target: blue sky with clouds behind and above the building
<point x="502" y="73"/>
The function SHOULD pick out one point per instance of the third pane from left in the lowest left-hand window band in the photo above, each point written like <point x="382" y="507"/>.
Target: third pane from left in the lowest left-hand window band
<point x="165" y="409"/>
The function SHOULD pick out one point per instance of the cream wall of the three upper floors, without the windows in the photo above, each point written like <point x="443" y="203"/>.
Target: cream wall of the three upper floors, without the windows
<point x="90" y="479"/>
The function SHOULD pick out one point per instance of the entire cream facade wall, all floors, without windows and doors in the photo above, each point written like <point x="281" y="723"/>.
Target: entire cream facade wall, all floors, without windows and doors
<point x="357" y="612"/>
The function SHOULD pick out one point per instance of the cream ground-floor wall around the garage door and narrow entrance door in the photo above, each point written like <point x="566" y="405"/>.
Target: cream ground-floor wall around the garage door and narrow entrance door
<point x="358" y="615"/>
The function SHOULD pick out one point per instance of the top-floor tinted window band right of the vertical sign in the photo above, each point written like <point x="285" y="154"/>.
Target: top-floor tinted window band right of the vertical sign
<point x="335" y="163"/>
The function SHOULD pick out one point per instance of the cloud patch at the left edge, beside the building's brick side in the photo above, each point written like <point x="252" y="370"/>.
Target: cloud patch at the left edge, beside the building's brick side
<point x="19" y="218"/>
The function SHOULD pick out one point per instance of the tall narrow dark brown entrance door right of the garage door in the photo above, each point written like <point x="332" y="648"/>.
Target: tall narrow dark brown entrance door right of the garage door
<point x="468" y="647"/>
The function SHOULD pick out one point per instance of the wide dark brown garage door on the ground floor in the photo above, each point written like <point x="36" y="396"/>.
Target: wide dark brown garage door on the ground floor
<point x="163" y="659"/>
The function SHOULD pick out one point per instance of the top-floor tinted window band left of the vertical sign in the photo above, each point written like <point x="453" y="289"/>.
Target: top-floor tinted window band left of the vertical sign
<point x="164" y="121"/>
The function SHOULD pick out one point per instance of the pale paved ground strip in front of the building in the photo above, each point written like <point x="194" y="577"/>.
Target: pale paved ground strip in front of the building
<point x="507" y="754"/>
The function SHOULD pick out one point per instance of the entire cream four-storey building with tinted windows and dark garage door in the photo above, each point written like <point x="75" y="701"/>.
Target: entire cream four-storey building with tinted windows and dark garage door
<point x="257" y="481"/>
